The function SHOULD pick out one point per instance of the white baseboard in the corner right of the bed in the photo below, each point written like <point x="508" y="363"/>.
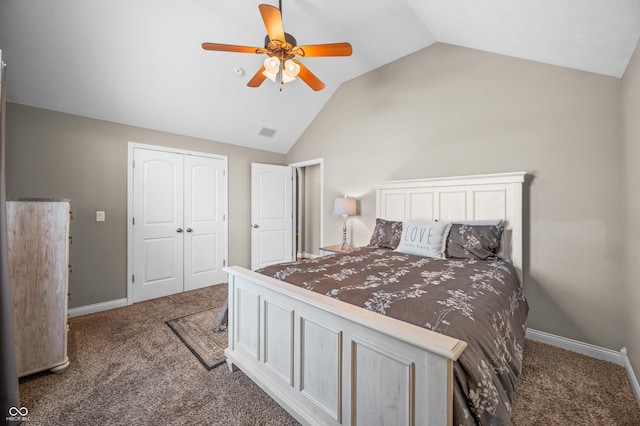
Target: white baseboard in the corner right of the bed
<point x="592" y="351"/>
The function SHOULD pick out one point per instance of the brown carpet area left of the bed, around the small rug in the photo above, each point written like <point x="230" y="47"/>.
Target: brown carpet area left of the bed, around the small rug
<point x="129" y="368"/>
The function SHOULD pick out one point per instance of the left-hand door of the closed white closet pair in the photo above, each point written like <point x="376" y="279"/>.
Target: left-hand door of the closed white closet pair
<point x="158" y="230"/>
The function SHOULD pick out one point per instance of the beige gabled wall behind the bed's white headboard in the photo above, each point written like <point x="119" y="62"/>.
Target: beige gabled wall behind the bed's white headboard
<point x="447" y="111"/>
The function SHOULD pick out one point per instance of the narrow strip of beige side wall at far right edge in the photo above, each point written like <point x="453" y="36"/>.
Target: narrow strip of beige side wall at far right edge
<point x="631" y="140"/>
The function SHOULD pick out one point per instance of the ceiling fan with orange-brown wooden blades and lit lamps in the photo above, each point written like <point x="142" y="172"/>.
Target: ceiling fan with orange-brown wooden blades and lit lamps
<point x="281" y="48"/>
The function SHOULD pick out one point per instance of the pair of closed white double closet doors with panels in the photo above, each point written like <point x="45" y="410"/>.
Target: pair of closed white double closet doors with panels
<point x="179" y="231"/>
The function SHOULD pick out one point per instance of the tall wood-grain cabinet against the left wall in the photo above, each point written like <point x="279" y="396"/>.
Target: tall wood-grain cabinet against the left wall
<point x="38" y="231"/>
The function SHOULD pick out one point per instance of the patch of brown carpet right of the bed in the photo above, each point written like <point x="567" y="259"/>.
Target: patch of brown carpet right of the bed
<point x="559" y="387"/>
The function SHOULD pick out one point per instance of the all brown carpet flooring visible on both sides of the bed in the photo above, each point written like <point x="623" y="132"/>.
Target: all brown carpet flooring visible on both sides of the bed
<point x="128" y="367"/>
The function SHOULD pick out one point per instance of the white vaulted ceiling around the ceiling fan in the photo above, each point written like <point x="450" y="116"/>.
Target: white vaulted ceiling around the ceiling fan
<point x="140" y="62"/>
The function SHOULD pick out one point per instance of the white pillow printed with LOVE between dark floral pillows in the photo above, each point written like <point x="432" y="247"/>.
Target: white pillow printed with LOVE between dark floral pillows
<point x="424" y="238"/>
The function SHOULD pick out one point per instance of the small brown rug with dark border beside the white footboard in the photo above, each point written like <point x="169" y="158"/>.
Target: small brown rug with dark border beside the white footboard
<point x="198" y="332"/>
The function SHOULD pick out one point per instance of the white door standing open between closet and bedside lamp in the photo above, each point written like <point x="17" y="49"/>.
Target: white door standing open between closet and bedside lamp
<point x="271" y="214"/>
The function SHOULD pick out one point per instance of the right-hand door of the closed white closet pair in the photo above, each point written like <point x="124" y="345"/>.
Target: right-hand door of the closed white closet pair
<point x="204" y="221"/>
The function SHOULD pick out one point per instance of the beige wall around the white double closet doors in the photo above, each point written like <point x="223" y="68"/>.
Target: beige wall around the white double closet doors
<point x="51" y="154"/>
